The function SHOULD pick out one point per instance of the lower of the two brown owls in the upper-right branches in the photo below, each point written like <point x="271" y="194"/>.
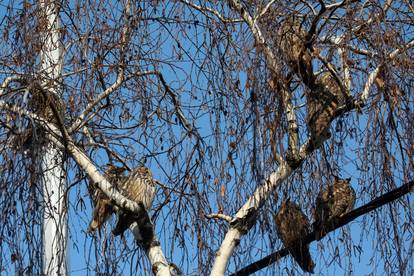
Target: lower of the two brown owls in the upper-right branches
<point x="323" y="100"/>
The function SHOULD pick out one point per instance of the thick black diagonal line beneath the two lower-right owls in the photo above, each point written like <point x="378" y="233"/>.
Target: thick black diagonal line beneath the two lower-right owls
<point x="372" y="205"/>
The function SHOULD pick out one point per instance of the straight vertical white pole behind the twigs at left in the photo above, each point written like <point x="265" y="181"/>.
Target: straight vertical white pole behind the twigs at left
<point x="54" y="180"/>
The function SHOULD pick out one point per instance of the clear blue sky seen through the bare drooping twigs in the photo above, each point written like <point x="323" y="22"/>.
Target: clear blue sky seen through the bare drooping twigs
<point x="200" y="97"/>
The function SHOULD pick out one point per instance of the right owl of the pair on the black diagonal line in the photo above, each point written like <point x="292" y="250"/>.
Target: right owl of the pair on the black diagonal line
<point x="333" y="202"/>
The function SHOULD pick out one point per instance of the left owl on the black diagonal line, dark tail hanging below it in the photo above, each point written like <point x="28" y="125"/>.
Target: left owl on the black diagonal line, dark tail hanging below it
<point x="292" y="224"/>
